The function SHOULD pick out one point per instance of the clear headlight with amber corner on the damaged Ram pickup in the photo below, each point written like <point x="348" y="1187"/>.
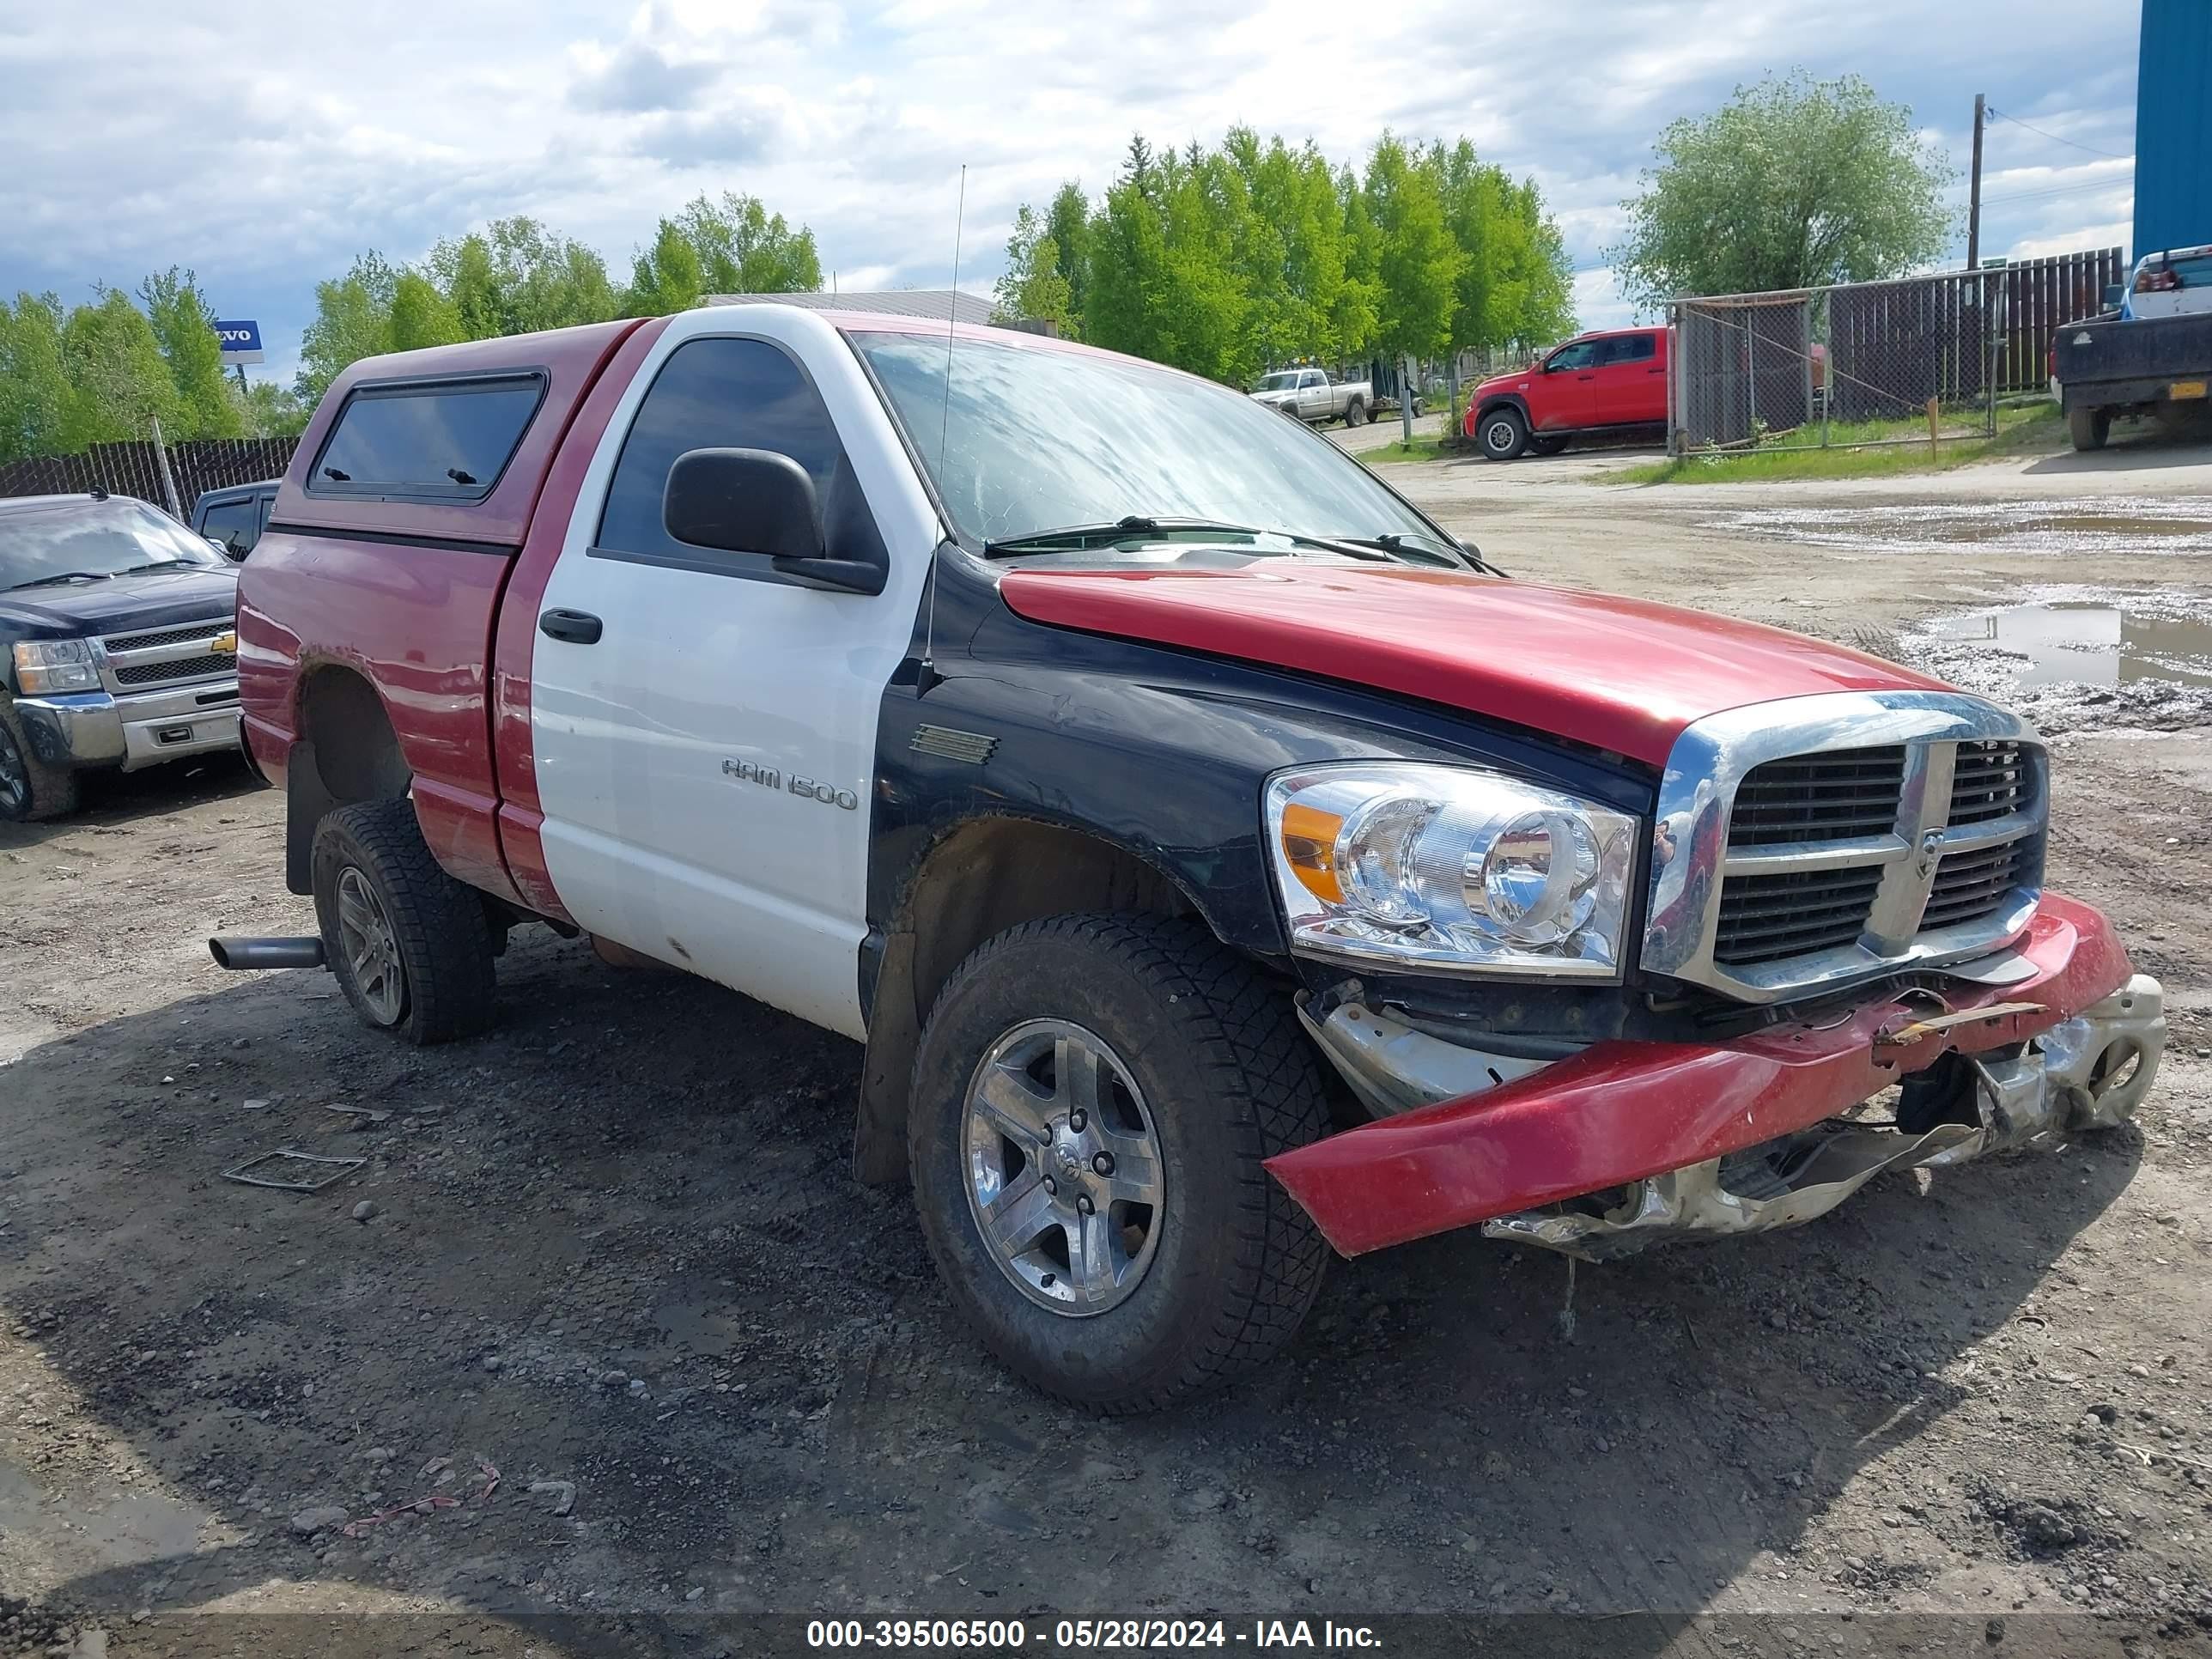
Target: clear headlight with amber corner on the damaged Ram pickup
<point x="1450" y="870"/>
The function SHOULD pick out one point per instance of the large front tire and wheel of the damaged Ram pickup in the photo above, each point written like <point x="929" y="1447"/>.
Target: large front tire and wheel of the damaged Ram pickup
<point x="1094" y="1103"/>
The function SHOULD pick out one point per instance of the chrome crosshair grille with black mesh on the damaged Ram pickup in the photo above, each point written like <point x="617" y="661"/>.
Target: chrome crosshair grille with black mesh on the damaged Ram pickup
<point x="1839" y="837"/>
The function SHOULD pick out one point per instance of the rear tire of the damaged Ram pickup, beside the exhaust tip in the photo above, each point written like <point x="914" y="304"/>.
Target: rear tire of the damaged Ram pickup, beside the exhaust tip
<point x="408" y="943"/>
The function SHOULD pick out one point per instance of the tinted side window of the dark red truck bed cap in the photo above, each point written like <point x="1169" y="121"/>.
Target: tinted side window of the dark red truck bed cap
<point x="428" y="439"/>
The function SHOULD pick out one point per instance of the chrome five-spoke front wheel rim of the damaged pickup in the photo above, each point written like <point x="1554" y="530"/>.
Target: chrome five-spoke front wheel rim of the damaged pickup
<point x="1065" y="1173"/>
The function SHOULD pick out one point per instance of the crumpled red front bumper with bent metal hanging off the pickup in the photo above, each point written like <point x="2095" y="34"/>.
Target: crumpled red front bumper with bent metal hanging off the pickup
<point x="1640" y="1142"/>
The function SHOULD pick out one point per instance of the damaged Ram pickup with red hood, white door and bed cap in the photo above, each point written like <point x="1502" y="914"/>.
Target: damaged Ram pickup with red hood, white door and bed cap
<point x="1218" y="859"/>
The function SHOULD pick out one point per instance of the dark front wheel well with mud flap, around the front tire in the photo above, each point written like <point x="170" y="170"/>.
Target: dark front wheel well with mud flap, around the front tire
<point x="972" y="884"/>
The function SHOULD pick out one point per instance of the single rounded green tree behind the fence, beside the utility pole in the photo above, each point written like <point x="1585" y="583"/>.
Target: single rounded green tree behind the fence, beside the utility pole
<point x="1788" y="185"/>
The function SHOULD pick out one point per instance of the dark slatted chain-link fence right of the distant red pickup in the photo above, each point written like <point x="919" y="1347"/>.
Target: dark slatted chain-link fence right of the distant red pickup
<point x="1917" y="359"/>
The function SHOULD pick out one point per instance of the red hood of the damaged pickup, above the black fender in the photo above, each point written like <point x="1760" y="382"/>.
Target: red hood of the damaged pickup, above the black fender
<point x="1614" y="674"/>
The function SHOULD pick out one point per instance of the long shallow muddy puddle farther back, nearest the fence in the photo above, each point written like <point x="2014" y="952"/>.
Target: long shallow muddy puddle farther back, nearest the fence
<point x="2160" y="528"/>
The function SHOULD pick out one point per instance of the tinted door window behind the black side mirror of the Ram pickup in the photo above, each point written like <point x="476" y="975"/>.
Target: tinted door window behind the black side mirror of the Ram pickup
<point x="718" y="395"/>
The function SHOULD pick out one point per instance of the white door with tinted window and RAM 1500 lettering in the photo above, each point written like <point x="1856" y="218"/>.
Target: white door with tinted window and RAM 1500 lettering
<point x="705" y="729"/>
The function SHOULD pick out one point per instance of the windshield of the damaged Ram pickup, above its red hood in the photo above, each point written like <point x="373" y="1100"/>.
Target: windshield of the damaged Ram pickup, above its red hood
<point x="1039" y="439"/>
